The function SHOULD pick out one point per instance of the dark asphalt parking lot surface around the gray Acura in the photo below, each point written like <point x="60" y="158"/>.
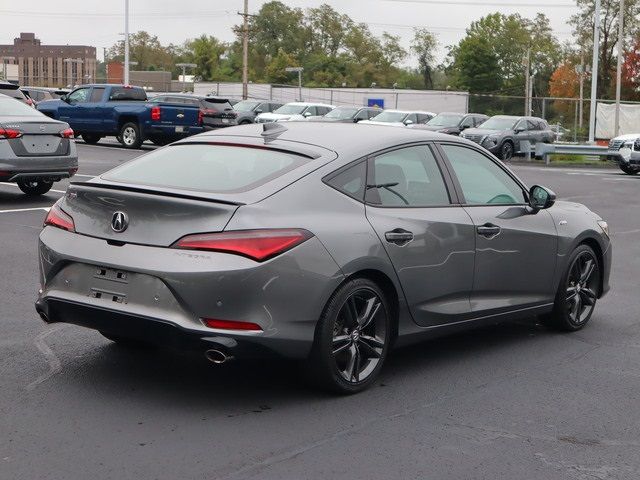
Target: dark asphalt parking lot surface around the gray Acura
<point x="514" y="401"/>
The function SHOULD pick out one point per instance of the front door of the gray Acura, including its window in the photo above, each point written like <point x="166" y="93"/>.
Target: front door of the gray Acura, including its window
<point x="515" y="249"/>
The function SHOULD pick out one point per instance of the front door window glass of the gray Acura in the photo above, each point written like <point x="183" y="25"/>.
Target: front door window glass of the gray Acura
<point x="482" y="181"/>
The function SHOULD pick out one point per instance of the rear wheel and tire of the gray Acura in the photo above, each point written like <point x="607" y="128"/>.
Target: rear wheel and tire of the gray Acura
<point x="349" y="351"/>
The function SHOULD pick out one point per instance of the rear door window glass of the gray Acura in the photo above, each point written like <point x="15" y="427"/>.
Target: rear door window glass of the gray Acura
<point x="408" y="177"/>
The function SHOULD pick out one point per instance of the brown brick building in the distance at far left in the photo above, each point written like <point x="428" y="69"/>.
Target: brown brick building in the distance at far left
<point x="49" y="65"/>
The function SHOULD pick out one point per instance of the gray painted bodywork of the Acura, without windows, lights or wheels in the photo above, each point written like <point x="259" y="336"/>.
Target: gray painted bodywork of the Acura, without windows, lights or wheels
<point x="446" y="277"/>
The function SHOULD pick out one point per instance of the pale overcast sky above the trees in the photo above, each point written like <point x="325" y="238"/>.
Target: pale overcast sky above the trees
<point x="98" y="23"/>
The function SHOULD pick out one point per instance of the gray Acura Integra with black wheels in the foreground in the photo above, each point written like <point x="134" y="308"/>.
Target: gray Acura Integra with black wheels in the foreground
<point x="328" y="244"/>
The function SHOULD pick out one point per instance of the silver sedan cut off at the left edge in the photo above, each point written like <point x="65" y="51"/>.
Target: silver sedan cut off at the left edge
<point x="35" y="150"/>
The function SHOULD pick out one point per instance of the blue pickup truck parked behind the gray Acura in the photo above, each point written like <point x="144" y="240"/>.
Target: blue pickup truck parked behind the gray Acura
<point x="122" y="111"/>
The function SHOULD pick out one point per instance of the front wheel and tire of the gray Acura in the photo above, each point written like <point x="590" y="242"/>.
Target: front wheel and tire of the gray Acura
<point x="578" y="292"/>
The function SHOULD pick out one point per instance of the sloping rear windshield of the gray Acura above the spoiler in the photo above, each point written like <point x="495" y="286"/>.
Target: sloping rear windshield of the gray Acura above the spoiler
<point x="206" y="168"/>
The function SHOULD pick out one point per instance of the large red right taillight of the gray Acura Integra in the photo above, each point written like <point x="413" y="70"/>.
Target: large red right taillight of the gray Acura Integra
<point x="258" y="245"/>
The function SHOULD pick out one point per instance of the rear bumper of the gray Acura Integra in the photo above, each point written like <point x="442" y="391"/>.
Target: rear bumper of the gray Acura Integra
<point x="166" y="293"/>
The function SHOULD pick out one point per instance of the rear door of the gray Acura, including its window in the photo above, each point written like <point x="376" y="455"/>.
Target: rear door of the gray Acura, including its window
<point x="427" y="236"/>
